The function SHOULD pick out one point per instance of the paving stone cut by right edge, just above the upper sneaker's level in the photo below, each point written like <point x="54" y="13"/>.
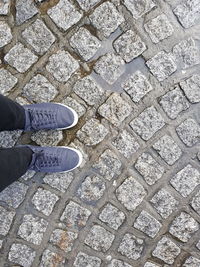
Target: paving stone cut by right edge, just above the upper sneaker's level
<point x="191" y="88"/>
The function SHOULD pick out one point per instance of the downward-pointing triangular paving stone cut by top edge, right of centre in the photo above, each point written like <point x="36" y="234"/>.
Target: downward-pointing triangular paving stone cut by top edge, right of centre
<point x="139" y="8"/>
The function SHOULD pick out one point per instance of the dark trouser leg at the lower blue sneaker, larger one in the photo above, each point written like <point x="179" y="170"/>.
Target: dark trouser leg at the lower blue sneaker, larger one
<point x="14" y="162"/>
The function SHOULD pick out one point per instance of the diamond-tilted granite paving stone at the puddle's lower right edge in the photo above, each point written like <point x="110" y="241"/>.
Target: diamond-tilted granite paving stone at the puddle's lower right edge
<point x="137" y="86"/>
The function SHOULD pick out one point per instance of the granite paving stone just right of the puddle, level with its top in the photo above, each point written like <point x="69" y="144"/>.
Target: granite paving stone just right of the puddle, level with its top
<point x="162" y="65"/>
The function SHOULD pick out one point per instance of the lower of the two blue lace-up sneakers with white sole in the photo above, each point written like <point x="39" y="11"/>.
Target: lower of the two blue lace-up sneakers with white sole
<point x="54" y="159"/>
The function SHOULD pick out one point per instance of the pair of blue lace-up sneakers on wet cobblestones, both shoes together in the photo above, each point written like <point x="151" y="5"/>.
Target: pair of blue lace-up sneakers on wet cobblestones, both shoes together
<point x="50" y="116"/>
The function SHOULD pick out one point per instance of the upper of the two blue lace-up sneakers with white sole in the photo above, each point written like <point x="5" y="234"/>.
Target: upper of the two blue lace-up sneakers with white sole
<point x="49" y="116"/>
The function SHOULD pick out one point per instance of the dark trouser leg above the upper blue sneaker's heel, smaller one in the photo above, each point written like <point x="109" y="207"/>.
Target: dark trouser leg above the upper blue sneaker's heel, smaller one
<point x="12" y="115"/>
